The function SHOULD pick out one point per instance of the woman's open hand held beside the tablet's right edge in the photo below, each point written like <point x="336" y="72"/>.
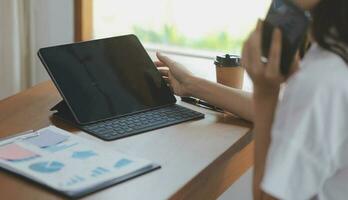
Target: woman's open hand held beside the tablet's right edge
<point x="178" y="78"/>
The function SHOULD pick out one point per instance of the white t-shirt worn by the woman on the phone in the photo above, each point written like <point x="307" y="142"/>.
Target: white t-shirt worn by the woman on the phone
<point x="308" y="155"/>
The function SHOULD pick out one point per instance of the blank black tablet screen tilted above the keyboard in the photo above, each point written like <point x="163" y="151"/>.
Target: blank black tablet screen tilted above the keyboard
<point x="105" y="78"/>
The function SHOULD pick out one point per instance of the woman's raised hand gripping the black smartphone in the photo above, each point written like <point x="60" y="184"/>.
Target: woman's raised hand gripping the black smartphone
<point x="266" y="77"/>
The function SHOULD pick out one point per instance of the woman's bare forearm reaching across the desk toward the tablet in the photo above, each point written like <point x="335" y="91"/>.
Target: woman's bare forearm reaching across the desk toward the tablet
<point x="232" y="100"/>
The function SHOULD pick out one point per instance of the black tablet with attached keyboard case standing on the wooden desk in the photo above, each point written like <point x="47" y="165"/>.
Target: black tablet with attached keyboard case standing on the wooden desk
<point x="111" y="88"/>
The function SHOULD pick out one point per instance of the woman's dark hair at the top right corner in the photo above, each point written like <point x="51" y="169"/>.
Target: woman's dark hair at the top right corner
<point x="330" y="26"/>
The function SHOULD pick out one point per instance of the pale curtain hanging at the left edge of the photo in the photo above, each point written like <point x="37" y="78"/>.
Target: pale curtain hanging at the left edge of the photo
<point x="15" y="50"/>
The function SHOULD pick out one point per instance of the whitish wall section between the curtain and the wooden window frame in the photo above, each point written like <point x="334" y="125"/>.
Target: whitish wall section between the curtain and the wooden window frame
<point x="53" y="24"/>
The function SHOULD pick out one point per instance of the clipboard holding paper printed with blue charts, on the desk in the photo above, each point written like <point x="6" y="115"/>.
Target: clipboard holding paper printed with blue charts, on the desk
<point x="67" y="163"/>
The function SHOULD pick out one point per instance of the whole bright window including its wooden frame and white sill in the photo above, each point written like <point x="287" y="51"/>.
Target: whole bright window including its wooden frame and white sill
<point x="194" y="31"/>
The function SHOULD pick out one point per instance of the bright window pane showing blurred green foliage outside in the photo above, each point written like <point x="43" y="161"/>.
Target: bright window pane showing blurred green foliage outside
<point x="219" y="25"/>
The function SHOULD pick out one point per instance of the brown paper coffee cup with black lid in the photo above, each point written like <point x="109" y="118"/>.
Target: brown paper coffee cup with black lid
<point x="228" y="71"/>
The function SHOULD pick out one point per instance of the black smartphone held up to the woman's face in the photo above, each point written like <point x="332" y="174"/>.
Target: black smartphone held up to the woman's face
<point x="293" y="23"/>
